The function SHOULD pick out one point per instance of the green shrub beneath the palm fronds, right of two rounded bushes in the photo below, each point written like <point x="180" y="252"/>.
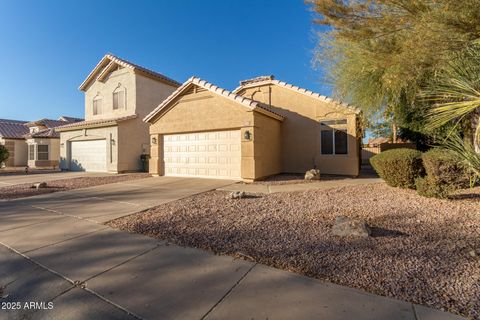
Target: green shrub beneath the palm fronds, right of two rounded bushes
<point x="443" y="167"/>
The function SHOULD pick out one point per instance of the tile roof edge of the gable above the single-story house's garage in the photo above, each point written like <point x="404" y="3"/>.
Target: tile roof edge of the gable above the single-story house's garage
<point x="249" y="103"/>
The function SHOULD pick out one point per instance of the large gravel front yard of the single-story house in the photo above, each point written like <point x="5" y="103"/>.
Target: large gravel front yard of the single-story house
<point x="422" y="250"/>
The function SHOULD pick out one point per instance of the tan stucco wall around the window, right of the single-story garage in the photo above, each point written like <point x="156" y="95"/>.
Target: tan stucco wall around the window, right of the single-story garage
<point x="301" y="130"/>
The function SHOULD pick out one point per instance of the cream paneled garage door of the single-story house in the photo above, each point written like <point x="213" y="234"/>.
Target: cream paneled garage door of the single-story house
<point x="215" y="154"/>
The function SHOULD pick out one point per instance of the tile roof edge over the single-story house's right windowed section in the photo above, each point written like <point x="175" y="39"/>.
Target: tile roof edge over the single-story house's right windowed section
<point x="271" y="80"/>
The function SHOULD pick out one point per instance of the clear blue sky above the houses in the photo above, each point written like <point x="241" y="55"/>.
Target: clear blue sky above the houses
<point x="47" y="48"/>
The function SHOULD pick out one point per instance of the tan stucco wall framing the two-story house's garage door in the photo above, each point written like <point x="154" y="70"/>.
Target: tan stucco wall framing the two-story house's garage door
<point x="110" y="134"/>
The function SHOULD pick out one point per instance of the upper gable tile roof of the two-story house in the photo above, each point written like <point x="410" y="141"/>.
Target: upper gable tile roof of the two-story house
<point x="109" y="61"/>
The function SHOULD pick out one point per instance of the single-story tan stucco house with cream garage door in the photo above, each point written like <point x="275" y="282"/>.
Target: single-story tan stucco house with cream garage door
<point x="263" y="127"/>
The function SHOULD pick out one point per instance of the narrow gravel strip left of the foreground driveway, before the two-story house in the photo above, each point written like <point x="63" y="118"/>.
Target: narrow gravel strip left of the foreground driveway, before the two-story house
<point x="26" y="190"/>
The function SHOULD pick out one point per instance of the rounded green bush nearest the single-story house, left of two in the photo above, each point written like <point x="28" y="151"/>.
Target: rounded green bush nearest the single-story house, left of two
<point x="398" y="167"/>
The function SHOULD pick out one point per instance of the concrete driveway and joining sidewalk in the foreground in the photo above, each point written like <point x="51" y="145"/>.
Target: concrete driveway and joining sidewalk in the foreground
<point x="54" y="248"/>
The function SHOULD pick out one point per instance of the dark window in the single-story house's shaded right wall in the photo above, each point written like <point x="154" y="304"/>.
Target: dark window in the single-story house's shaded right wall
<point x="333" y="137"/>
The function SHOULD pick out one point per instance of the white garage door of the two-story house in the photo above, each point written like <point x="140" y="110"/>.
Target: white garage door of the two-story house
<point x="88" y="156"/>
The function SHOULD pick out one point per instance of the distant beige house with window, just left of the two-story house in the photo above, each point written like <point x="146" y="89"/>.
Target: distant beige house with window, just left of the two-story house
<point x="44" y="142"/>
